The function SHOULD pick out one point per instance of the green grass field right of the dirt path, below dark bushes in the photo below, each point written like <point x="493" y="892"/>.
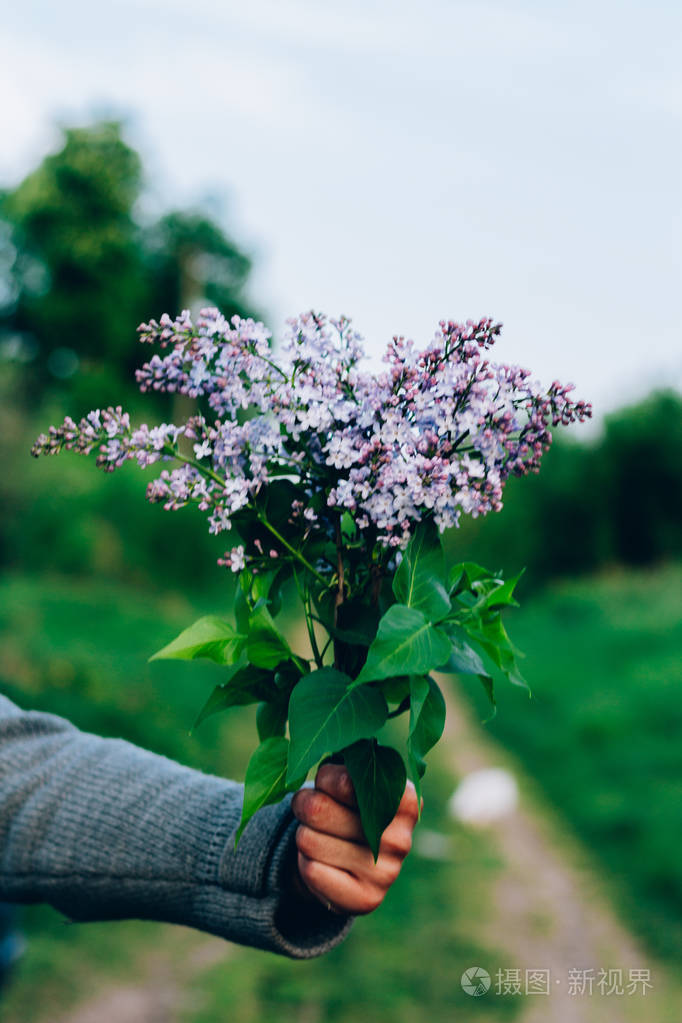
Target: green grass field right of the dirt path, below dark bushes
<point x="603" y="734"/>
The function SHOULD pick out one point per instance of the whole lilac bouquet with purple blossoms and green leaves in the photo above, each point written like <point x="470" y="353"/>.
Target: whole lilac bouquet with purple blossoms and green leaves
<point x="339" y="482"/>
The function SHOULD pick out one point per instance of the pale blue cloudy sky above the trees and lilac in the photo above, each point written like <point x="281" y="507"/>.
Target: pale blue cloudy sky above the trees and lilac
<point x="401" y="163"/>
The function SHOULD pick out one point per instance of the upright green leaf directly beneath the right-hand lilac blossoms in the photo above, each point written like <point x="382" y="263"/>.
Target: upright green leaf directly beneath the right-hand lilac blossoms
<point x="420" y="582"/>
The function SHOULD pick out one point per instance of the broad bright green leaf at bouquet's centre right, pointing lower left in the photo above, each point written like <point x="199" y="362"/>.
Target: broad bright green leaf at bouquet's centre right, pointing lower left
<point x="406" y="644"/>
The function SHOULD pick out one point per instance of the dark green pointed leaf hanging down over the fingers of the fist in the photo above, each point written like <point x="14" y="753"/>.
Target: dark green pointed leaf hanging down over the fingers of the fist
<point x="379" y="778"/>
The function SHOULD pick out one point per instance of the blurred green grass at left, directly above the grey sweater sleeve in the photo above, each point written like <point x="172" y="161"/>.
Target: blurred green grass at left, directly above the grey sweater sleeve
<point x="81" y="650"/>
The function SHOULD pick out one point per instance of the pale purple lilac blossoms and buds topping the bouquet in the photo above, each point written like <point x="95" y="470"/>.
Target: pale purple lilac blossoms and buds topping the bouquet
<point x="438" y="433"/>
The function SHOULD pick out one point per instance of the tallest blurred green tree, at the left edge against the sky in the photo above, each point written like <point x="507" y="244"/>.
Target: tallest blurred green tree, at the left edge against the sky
<point x="73" y="257"/>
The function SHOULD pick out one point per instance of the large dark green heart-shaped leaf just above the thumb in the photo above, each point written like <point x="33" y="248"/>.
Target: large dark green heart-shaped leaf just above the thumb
<point x="327" y="713"/>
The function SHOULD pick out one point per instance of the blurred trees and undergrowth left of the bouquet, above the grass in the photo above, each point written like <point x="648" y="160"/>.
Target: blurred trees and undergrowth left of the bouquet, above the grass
<point x="79" y="270"/>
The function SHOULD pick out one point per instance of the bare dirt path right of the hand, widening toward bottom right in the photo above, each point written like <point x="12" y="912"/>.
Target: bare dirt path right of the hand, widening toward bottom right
<point x="550" y="910"/>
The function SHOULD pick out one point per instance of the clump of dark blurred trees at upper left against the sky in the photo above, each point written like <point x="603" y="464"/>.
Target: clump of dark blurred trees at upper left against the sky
<point x="79" y="270"/>
